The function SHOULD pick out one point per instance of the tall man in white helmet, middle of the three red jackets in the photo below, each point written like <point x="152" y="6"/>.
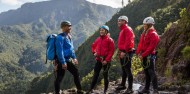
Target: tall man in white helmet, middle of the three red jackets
<point x="126" y="47"/>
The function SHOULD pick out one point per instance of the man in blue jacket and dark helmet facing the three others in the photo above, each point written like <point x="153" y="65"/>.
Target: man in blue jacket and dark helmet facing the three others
<point x="66" y="58"/>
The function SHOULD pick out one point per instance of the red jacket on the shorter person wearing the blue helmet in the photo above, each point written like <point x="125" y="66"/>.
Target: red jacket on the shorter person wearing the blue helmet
<point x="104" y="47"/>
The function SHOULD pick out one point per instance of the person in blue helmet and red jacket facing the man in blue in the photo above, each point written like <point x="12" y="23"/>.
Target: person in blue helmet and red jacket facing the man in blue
<point x="103" y="50"/>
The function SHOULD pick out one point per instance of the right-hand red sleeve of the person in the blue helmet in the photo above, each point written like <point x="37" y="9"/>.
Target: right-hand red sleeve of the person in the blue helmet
<point x="111" y="51"/>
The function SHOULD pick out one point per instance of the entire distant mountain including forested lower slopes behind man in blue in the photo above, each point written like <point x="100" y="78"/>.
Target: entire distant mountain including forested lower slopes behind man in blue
<point x="23" y="32"/>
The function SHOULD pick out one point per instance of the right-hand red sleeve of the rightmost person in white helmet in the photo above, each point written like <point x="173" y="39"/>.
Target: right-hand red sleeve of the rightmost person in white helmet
<point x="153" y="43"/>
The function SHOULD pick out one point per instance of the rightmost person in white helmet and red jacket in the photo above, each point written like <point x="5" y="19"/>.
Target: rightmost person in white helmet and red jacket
<point x="146" y="52"/>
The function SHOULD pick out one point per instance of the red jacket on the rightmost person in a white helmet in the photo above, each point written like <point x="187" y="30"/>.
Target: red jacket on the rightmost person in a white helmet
<point x="148" y="43"/>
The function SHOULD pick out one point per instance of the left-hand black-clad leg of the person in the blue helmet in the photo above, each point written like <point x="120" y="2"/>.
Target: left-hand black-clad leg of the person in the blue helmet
<point x="97" y="70"/>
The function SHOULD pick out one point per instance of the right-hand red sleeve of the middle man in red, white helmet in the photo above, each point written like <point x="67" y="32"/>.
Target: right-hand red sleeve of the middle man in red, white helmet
<point x="129" y="40"/>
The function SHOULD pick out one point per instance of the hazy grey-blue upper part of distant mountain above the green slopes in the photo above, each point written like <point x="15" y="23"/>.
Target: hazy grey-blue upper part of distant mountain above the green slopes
<point x="85" y="16"/>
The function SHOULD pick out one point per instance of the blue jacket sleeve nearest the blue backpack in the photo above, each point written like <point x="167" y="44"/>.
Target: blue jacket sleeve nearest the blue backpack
<point x="59" y="49"/>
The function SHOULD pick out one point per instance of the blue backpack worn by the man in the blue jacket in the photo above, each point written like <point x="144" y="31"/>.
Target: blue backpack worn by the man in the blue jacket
<point x="51" y="47"/>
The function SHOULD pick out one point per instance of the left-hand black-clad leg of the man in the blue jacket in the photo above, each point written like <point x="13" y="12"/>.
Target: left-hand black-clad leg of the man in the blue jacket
<point x="59" y="76"/>
